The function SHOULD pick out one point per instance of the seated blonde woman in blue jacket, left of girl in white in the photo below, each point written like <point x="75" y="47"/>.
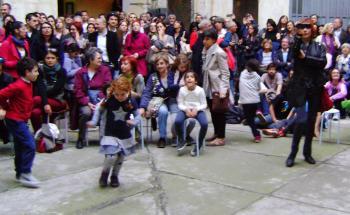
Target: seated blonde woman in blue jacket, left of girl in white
<point x="155" y="98"/>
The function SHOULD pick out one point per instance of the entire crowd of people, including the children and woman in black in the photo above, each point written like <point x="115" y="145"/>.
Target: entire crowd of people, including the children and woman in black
<point x="113" y="69"/>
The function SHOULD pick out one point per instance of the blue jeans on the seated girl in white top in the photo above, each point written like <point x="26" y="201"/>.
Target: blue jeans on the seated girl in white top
<point x="180" y="126"/>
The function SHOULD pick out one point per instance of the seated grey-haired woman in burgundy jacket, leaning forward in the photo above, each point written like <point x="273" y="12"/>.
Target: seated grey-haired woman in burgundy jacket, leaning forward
<point x="90" y="81"/>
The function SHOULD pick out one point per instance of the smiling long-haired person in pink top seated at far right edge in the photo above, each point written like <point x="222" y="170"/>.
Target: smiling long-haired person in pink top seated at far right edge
<point x="337" y="91"/>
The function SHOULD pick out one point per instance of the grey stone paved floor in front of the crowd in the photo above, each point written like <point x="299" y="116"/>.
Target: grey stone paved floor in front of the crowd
<point x="241" y="177"/>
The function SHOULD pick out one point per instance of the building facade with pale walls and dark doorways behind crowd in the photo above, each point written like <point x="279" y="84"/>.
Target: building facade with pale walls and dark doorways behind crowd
<point x="185" y="9"/>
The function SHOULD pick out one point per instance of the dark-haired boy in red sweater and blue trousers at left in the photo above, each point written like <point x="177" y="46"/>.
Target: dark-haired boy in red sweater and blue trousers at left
<point x="17" y="99"/>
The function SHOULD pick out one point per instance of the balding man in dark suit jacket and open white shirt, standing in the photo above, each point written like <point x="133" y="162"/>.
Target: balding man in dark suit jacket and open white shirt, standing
<point x="108" y="42"/>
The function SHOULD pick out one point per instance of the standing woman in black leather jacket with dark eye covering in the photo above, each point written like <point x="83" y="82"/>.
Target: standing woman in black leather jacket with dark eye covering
<point x="306" y="87"/>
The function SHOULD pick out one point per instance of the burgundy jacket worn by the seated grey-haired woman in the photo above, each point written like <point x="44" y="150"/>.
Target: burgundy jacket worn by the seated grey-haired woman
<point x="101" y="78"/>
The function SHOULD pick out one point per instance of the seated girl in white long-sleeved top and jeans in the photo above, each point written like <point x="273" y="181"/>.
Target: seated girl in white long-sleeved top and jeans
<point x="192" y="103"/>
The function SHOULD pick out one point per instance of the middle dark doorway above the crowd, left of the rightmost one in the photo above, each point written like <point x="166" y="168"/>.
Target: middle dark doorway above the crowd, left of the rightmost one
<point x="182" y="9"/>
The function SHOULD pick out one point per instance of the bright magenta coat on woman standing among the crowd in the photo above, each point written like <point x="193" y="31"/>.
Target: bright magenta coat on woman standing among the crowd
<point x="138" y="44"/>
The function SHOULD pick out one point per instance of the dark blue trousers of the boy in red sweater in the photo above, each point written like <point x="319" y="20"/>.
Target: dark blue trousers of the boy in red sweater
<point x="24" y="146"/>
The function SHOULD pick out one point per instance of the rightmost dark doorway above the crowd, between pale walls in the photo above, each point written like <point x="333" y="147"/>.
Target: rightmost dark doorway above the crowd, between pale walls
<point x="241" y="7"/>
